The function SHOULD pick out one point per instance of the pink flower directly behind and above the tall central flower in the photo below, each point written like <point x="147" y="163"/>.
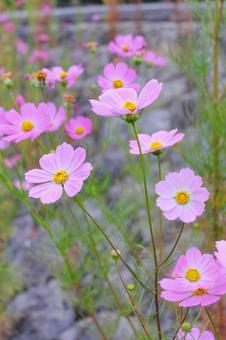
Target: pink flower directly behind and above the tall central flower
<point x="118" y="76"/>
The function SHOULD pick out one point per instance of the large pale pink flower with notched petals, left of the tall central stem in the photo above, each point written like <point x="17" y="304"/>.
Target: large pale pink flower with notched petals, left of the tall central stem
<point x="62" y="170"/>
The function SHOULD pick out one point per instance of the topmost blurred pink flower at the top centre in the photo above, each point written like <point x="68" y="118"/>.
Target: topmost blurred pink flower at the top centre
<point x="127" y="45"/>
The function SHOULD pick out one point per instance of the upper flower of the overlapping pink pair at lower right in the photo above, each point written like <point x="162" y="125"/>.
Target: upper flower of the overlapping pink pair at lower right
<point x="195" y="269"/>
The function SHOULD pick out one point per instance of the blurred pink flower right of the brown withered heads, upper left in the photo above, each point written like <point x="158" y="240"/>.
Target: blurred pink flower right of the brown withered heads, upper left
<point x="68" y="77"/>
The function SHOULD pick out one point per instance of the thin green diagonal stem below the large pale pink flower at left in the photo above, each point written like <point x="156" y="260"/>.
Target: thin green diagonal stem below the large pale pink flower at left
<point x="112" y="246"/>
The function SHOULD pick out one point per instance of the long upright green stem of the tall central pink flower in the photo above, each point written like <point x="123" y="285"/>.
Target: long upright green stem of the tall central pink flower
<point x="148" y="208"/>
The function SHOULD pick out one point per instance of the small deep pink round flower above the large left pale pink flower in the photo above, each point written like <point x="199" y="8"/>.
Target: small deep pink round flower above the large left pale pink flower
<point x="78" y="128"/>
